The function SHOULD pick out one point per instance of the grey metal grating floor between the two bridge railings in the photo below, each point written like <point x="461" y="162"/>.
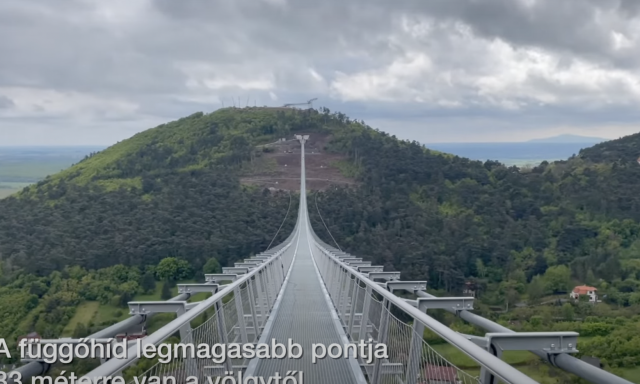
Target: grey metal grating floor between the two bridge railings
<point x="304" y="317"/>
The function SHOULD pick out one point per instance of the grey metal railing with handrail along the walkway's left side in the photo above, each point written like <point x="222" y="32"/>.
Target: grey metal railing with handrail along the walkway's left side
<point x="239" y="311"/>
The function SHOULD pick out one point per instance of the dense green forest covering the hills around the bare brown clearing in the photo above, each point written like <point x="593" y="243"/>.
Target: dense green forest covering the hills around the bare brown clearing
<point x="523" y="238"/>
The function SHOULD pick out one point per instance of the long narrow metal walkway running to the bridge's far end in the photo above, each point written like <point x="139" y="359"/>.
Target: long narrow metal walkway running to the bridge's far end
<point x="303" y="313"/>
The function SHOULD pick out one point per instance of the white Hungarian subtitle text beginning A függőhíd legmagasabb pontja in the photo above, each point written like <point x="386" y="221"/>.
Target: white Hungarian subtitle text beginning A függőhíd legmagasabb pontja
<point x="166" y="353"/>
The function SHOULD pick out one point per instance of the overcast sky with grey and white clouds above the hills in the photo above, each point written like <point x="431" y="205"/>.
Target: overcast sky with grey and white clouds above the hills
<point x="95" y="72"/>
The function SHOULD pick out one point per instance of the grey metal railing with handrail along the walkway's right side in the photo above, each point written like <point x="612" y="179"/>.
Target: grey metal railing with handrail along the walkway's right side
<point x="366" y="310"/>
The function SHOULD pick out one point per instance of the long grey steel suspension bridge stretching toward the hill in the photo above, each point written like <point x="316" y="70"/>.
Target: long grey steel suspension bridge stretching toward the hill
<point x="309" y="292"/>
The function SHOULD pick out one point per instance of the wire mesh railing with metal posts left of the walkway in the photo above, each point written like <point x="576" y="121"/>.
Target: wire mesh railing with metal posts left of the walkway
<point x="235" y="313"/>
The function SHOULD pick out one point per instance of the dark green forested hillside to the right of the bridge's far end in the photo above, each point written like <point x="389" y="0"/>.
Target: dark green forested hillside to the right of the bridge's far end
<point x="447" y="218"/>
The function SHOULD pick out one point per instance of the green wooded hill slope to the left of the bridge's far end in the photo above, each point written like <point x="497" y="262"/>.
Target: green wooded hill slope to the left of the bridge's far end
<point x="173" y="190"/>
